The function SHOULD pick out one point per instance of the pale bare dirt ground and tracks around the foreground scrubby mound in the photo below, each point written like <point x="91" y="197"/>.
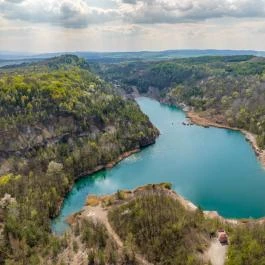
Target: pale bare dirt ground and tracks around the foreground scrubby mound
<point x="97" y="210"/>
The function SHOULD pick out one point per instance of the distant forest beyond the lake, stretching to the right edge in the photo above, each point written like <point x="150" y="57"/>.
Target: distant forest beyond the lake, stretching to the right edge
<point x="230" y="90"/>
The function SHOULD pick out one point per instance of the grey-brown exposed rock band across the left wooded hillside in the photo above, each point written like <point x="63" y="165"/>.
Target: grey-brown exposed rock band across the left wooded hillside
<point x="26" y="139"/>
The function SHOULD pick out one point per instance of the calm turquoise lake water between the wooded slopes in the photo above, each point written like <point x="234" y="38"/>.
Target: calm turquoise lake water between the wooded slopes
<point x="214" y="168"/>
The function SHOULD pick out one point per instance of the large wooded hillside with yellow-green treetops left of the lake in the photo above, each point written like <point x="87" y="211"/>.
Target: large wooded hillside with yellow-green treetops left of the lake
<point x="57" y="121"/>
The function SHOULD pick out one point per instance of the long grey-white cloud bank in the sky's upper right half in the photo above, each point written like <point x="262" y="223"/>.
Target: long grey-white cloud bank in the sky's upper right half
<point x="183" y="11"/>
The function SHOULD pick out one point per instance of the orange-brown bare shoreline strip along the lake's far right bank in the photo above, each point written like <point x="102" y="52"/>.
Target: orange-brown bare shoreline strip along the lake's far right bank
<point x="250" y="137"/>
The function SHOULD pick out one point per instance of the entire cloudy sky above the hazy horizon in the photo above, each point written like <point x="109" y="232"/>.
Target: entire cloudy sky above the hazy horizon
<point x="131" y="25"/>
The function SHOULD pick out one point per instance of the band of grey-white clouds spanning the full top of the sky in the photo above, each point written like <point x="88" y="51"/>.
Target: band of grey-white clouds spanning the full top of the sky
<point x="81" y="13"/>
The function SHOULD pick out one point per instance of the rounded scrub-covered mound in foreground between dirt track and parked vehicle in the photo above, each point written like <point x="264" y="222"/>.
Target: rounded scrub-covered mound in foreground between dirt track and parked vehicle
<point x="162" y="230"/>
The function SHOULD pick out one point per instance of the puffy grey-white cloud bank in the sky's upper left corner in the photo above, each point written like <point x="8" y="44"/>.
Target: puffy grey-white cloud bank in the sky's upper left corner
<point x="66" y="13"/>
